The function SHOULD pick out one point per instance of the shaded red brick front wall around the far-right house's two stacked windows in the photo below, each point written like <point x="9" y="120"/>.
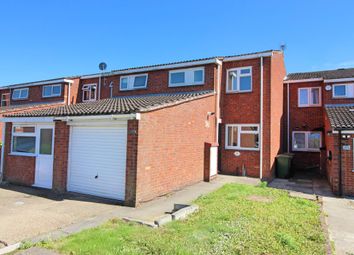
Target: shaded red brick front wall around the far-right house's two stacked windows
<point x="303" y="119"/>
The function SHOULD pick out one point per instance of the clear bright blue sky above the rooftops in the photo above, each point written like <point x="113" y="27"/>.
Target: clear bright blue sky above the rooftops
<point x="48" y="39"/>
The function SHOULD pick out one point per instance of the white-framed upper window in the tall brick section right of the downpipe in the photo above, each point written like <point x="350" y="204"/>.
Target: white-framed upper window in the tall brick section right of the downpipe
<point x="239" y="80"/>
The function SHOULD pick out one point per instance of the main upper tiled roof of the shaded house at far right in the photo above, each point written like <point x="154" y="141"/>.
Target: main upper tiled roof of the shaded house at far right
<point x="326" y="75"/>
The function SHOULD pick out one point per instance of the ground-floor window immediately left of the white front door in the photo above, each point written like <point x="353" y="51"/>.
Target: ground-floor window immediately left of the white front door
<point x="23" y="140"/>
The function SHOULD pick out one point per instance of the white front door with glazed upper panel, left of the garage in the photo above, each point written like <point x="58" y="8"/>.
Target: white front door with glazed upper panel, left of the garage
<point x="44" y="158"/>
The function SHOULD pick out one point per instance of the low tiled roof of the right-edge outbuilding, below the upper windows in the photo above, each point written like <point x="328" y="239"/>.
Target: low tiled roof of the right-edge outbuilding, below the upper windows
<point x="341" y="117"/>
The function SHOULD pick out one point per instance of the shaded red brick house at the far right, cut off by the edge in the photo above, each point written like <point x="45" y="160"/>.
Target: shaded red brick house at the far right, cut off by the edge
<point x="317" y="119"/>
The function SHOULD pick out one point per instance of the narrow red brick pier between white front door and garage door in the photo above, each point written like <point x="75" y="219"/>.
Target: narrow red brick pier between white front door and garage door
<point x="61" y="150"/>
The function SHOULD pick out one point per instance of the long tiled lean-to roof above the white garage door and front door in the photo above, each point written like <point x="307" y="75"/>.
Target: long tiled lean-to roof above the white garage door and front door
<point x="118" y="105"/>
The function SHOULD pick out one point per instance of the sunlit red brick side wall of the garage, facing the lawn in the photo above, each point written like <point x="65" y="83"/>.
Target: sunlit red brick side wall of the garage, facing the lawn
<point x="171" y="147"/>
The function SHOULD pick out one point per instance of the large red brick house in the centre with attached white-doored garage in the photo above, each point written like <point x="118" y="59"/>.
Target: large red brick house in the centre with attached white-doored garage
<point x="138" y="133"/>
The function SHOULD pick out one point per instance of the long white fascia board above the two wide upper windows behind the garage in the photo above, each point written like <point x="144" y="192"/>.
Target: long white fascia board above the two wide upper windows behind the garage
<point x="153" y="68"/>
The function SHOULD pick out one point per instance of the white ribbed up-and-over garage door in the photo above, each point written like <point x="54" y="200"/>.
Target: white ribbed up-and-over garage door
<point x="97" y="160"/>
